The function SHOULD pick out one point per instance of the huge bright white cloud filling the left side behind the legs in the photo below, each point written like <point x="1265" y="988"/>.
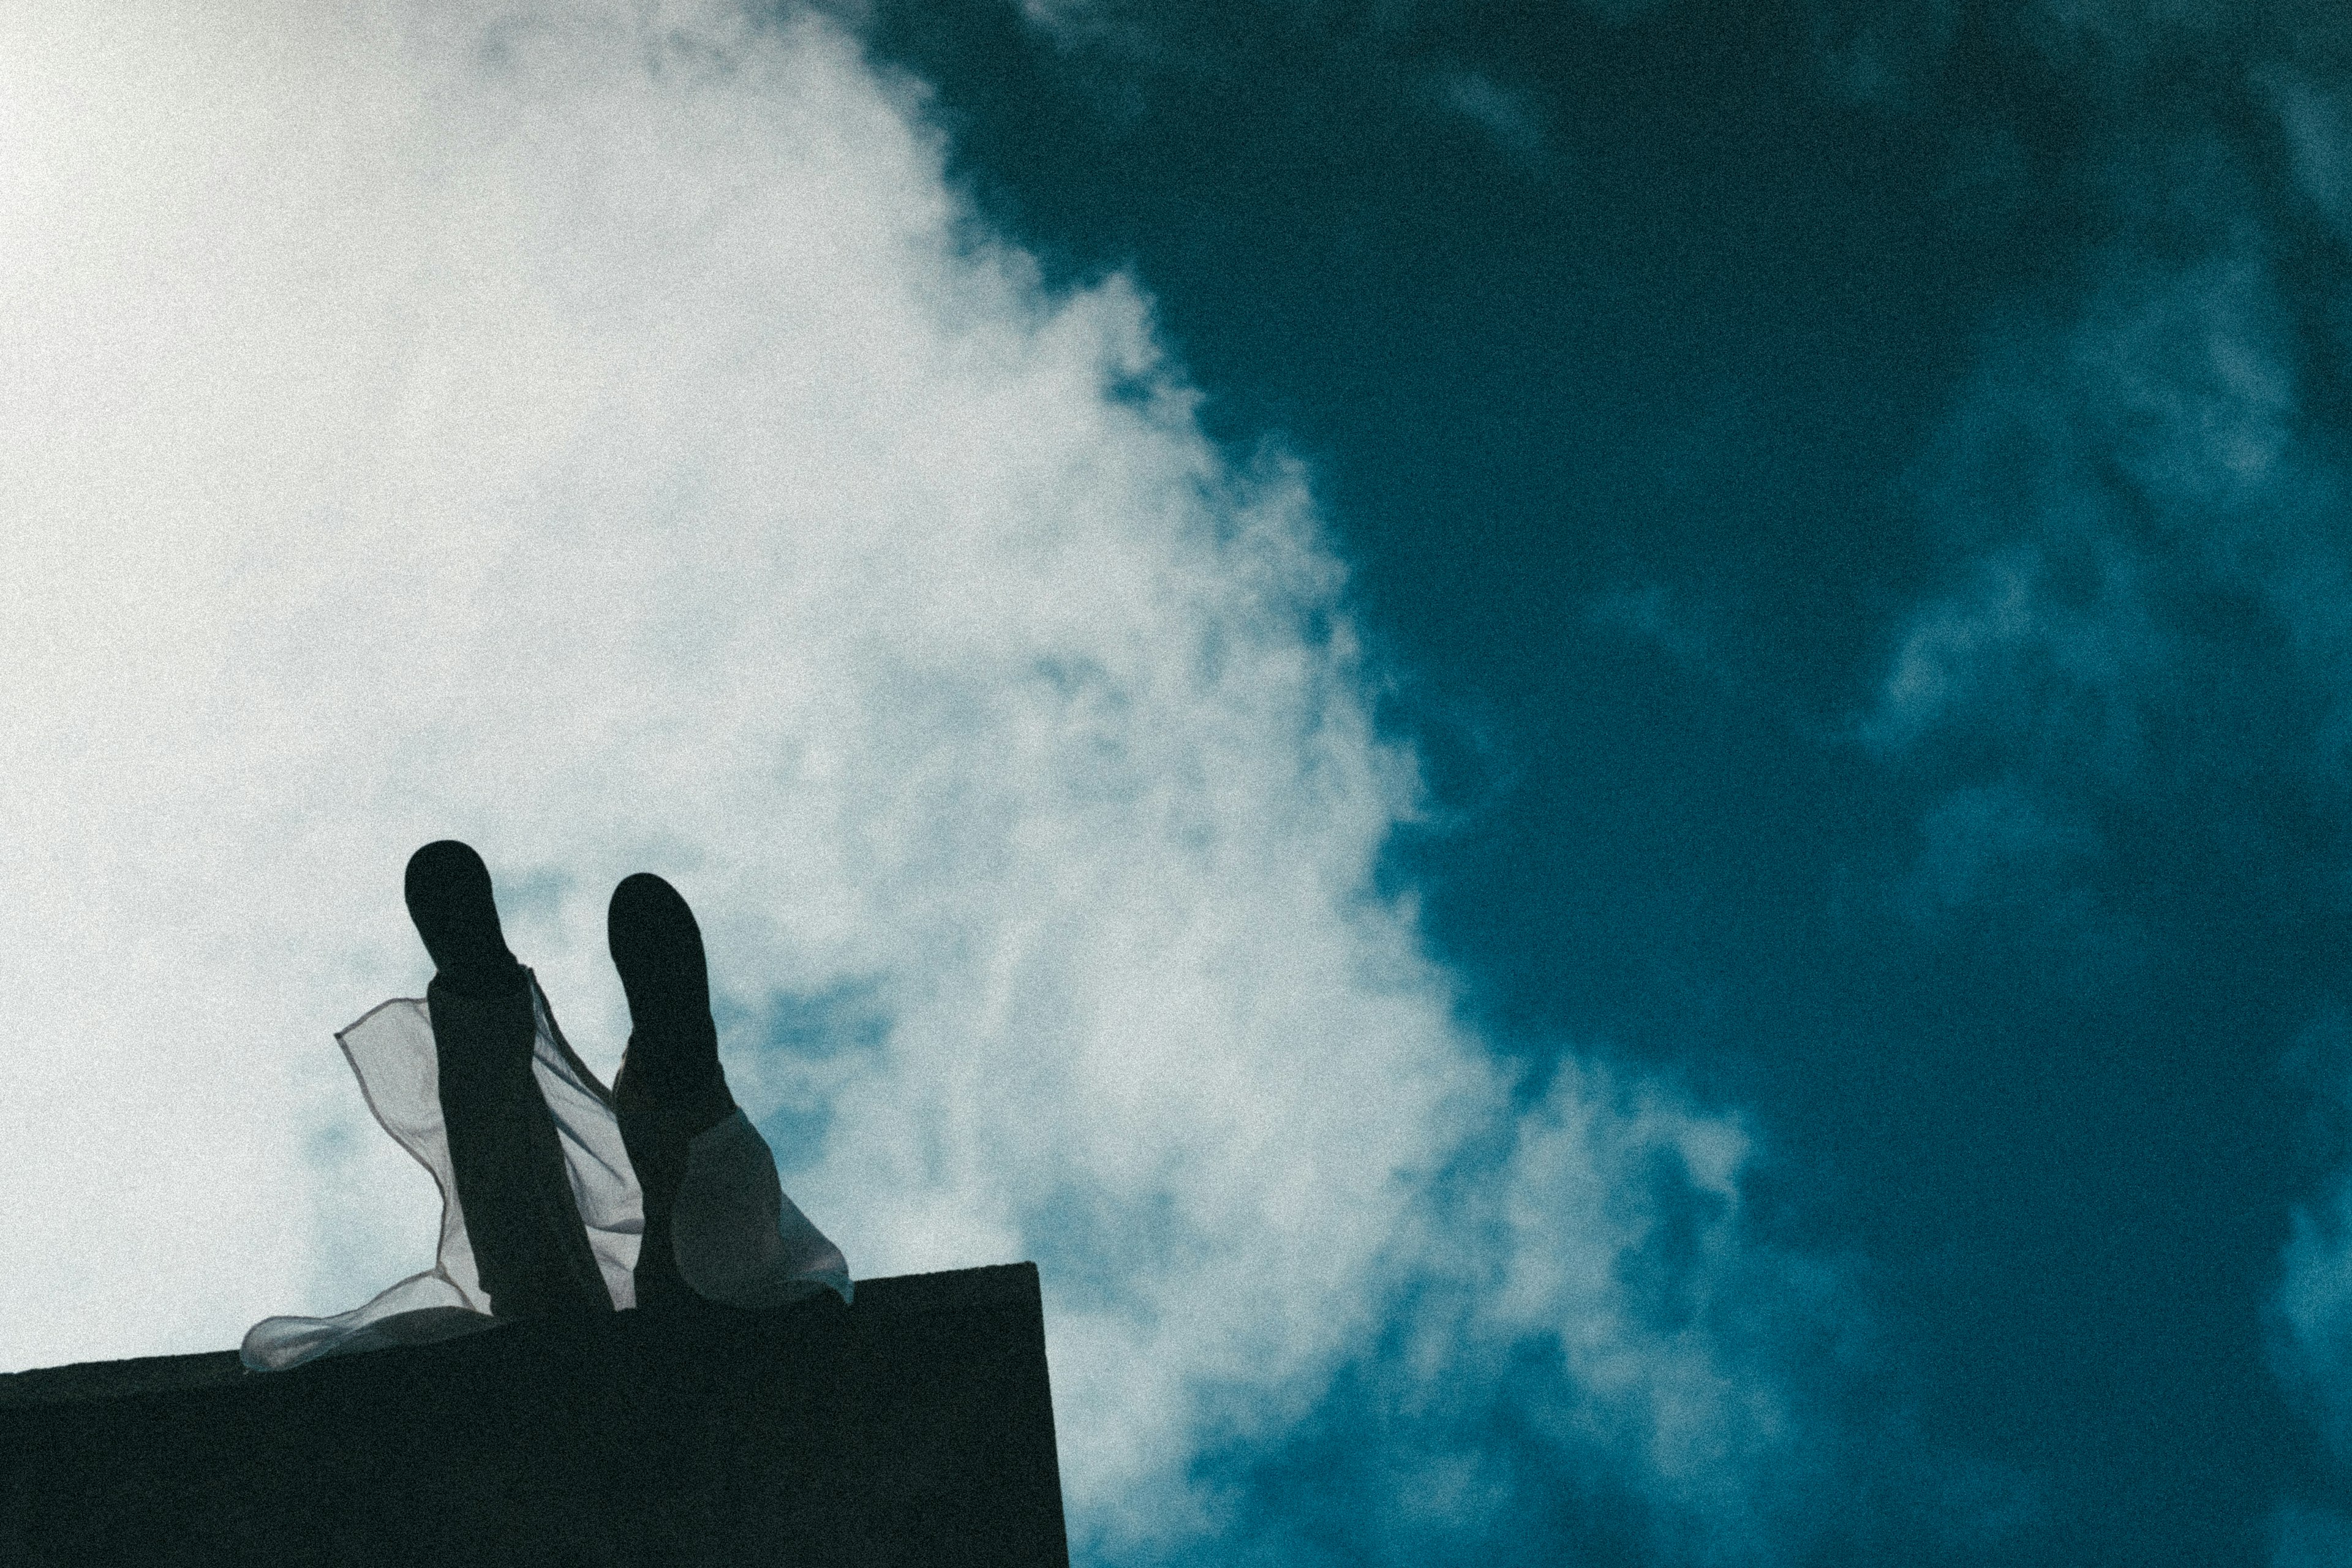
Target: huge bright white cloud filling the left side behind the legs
<point x="596" y="434"/>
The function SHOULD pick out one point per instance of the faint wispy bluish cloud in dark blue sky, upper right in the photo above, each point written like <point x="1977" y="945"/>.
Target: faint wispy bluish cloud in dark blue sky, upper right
<point x="2118" y="467"/>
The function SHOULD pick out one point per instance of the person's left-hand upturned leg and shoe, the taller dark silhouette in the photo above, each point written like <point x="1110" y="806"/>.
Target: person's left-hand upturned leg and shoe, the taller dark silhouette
<point x="512" y="1179"/>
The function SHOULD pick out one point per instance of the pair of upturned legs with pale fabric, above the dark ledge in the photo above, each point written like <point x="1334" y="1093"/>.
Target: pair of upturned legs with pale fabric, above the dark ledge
<point x="561" y="1198"/>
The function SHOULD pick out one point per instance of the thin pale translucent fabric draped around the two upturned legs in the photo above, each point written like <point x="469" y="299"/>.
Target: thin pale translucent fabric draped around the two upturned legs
<point x="737" y="1238"/>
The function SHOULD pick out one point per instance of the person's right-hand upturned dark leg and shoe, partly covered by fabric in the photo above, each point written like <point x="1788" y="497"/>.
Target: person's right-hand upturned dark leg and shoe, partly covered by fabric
<point x="671" y="1085"/>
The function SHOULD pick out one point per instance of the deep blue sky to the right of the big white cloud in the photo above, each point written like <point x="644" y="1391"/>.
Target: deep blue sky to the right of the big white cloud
<point x="1855" y="500"/>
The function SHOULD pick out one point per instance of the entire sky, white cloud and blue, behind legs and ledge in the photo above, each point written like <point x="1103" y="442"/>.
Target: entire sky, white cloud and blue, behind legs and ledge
<point x="1591" y="756"/>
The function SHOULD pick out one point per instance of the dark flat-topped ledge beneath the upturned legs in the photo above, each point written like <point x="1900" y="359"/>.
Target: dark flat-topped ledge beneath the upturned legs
<point x="914" y="1428"/>
